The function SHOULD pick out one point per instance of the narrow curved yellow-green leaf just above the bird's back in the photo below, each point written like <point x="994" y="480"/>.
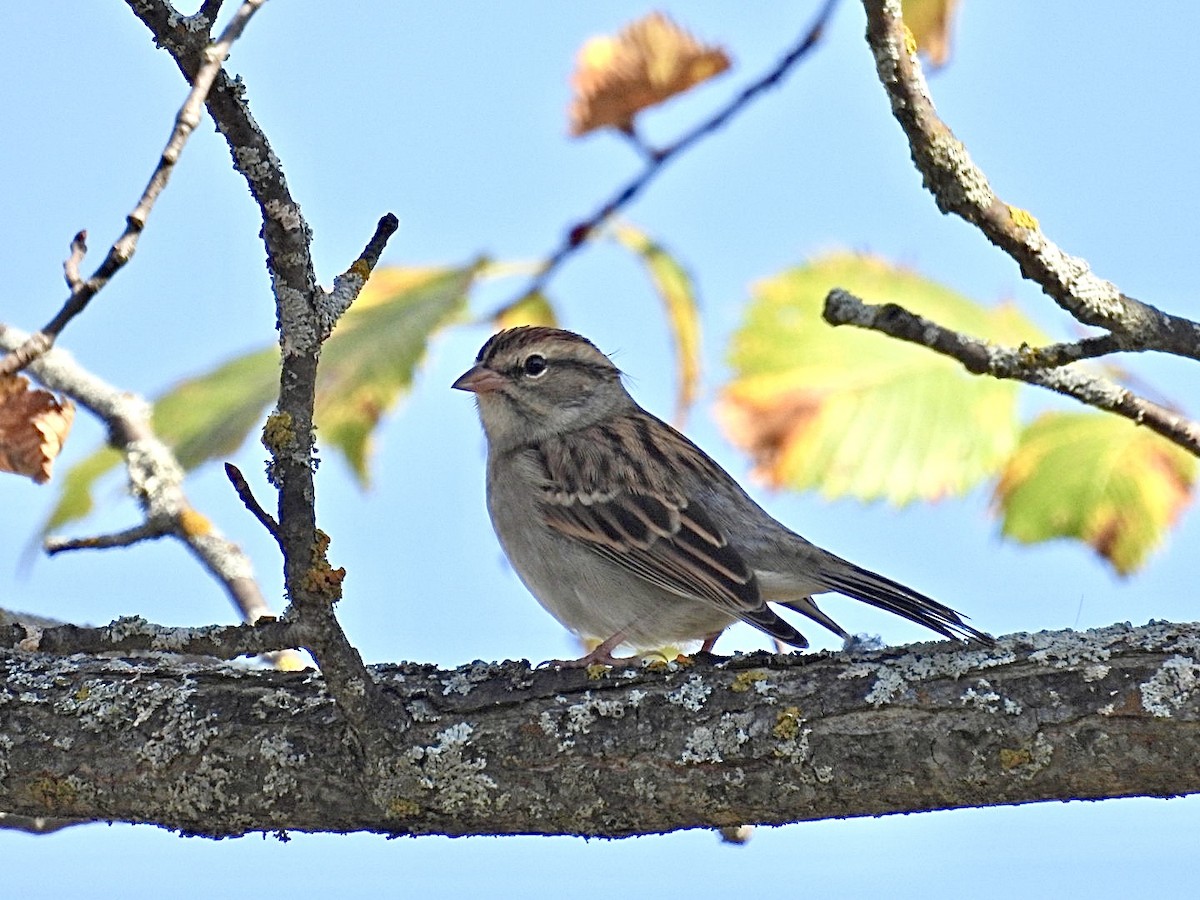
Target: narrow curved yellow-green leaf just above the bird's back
<point x="679" y="296"/>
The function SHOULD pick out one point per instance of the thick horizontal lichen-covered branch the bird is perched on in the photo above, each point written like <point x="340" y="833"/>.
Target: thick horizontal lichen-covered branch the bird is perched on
<point x="505" y="749"/>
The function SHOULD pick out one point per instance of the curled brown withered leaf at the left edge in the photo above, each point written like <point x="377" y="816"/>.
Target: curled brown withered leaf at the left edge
<point x="34" y="425"/>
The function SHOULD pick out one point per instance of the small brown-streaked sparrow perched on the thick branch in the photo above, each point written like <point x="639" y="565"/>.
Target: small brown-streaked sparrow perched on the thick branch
<point x="626" y="531"/>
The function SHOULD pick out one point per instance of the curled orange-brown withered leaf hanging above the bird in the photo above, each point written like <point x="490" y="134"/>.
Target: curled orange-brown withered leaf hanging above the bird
<point x="650" y="62"/>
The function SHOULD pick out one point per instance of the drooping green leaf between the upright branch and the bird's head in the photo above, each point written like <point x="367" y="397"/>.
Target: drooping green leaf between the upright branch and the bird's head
<point x="370" y="361"/>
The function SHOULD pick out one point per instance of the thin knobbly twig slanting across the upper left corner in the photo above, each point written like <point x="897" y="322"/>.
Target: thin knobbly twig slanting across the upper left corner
<point x="189" y="117"/>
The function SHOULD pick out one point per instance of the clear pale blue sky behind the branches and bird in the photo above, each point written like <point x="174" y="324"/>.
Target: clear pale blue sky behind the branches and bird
<point x="454" y="118"/>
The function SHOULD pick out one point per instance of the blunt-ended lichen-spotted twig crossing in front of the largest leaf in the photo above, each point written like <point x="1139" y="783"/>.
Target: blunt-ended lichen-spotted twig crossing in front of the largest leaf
<point x="985" y="358"/>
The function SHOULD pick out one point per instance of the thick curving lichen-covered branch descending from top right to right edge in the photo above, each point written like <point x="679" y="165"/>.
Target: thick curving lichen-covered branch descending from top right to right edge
<point x="959" y="187"/>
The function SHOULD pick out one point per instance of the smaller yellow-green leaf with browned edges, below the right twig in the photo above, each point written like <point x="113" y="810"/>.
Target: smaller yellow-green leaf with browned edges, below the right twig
<point x="1097" y="478"/>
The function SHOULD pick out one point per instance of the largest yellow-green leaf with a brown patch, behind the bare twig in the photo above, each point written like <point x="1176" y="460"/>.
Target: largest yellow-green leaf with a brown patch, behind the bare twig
<point x="851" y="412"/>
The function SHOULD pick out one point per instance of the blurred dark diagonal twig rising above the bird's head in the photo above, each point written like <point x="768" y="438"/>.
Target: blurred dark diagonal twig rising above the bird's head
<point x="657" y="160"/>
